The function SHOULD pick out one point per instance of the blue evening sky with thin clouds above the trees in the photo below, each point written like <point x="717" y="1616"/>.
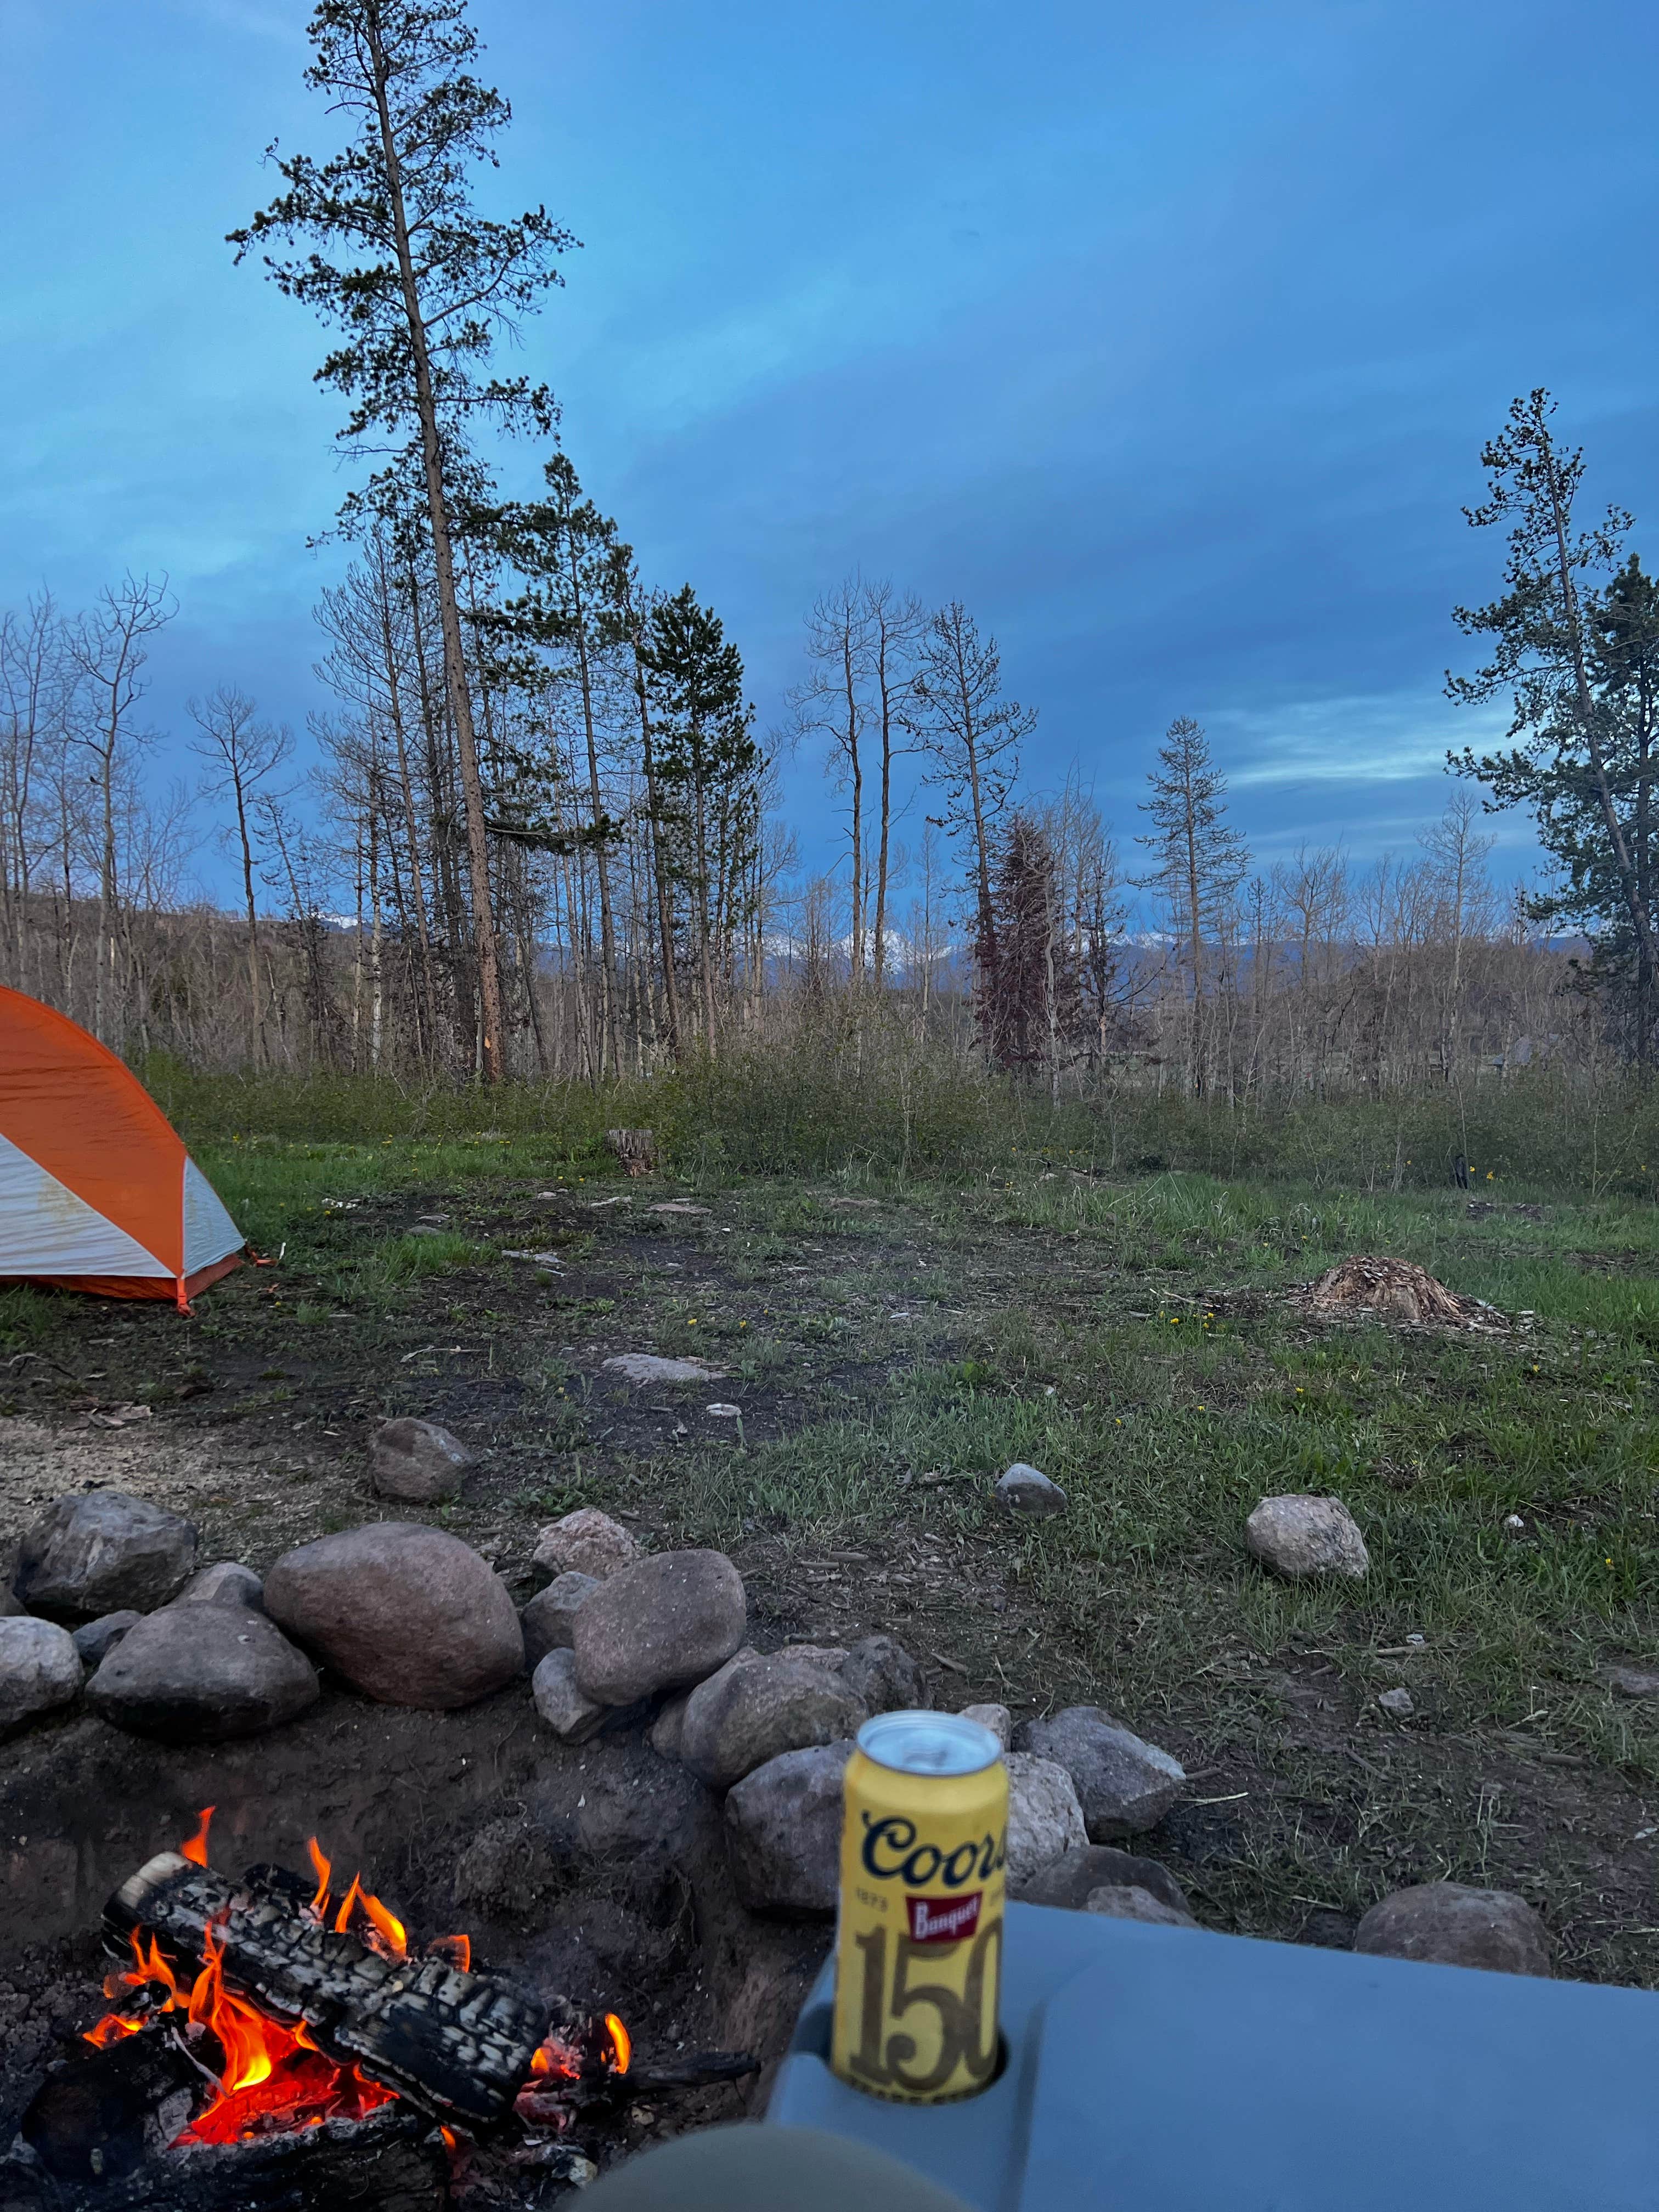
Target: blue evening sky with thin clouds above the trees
<point x="1162" y="337"/>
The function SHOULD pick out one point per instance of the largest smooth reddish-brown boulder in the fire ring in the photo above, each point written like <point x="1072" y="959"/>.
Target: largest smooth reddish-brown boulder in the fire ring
<point x="404" y="1614"/>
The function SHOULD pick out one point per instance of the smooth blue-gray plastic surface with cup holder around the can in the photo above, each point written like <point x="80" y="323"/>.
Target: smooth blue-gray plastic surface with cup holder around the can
<point x="1180" y="2072"/>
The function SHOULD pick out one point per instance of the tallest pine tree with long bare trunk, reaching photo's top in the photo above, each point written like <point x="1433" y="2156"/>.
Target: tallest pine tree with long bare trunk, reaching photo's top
<point x="421" y="286"/>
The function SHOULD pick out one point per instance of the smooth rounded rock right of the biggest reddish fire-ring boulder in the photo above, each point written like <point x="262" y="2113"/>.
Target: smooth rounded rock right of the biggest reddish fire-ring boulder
<point x="660" y="1625"/>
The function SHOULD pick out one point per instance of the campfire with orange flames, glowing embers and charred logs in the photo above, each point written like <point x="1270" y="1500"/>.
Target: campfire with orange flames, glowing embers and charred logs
<point x="251" y="2016"/>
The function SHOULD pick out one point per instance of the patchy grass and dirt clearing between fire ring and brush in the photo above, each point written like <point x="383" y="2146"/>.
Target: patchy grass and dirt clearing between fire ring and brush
<point x="888" y="1355"/>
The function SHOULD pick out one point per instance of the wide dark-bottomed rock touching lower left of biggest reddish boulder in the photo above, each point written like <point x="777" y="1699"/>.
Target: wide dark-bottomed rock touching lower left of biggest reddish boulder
<point x="202" y="1676"/>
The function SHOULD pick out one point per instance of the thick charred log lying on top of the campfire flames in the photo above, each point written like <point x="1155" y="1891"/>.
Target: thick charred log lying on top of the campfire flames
<point x="455" y="2043"/>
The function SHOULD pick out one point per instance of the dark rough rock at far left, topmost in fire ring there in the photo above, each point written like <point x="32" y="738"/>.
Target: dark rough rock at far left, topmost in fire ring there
<point x="103" y="1554"/>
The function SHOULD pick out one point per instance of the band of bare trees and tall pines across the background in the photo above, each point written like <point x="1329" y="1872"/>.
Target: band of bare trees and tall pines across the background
<point x="545" y="833"/>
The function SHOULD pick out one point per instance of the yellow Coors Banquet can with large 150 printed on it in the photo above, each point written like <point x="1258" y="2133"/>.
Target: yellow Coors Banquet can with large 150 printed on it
<point x="919" y="1941"/>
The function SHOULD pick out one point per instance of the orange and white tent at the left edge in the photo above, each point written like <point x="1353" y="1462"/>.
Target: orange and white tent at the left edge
<point x="96" y="1189"/>
